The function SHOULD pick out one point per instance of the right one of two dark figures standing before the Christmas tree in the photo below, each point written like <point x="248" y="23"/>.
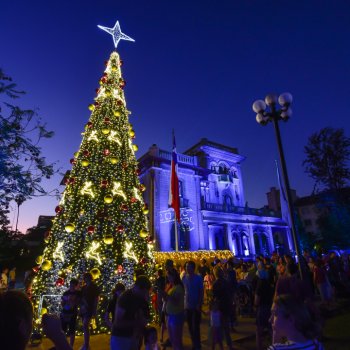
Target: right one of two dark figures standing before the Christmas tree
<point x="88" y="306"/>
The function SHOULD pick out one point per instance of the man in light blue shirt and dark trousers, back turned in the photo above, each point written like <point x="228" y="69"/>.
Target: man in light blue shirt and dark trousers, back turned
<point x="193" y="285"/>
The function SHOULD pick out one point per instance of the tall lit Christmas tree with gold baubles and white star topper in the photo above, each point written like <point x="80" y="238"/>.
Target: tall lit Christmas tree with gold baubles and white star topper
<point x="101" y="222"/>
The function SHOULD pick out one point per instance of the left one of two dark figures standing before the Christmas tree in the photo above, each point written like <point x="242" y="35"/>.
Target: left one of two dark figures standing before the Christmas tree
<point x="69" y="313"/>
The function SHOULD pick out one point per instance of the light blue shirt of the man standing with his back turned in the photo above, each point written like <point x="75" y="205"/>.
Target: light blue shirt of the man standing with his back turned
<point x="193" y="291"/>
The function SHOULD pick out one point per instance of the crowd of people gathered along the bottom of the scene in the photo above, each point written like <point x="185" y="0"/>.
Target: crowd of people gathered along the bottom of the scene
<point x="268" y="289"/>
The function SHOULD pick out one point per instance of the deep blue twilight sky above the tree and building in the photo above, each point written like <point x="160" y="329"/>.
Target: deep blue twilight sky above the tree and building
<point x="196" y="65"/>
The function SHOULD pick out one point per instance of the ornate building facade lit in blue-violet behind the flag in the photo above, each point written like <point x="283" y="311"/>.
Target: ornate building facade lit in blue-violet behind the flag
<point x="214" y="214"/>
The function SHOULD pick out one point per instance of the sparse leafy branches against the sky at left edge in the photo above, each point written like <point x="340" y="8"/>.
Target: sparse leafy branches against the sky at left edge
<point x="22" y="165"/>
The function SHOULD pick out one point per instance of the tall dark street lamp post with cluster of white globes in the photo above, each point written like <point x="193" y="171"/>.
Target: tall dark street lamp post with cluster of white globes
<point x="274" y="115"/>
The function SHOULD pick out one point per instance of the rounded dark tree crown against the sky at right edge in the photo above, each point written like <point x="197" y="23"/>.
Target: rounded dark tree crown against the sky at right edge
<point x="327" y="158"/>
